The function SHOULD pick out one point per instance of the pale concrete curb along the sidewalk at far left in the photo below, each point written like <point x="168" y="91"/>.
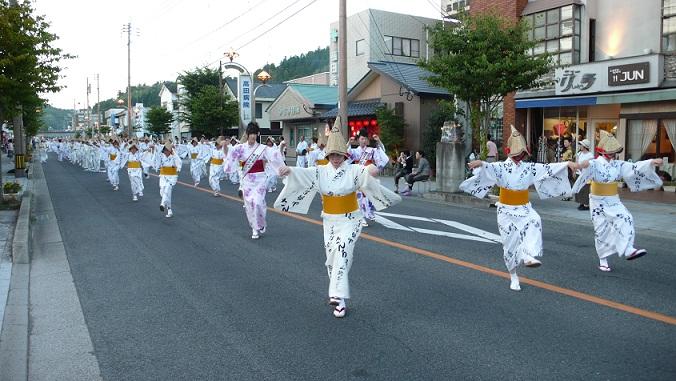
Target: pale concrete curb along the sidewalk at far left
<point x="15" y="326"/>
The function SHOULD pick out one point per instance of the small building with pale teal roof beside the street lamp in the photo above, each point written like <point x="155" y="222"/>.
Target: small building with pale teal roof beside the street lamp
<point x="298" y="111"/>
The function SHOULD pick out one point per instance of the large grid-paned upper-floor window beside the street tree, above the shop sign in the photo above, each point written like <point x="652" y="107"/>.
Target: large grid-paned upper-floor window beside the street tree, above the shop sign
<point x="557" y="32"/>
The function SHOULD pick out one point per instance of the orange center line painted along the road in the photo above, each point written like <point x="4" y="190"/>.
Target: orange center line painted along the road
<point x="486" y="270"/>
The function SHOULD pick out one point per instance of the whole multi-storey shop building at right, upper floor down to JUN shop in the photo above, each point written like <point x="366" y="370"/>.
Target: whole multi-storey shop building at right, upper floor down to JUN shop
<point x="615" y="71"/>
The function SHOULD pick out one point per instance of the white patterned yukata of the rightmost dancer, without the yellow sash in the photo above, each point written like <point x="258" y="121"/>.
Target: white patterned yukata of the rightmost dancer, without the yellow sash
<point x="613" y="224"/>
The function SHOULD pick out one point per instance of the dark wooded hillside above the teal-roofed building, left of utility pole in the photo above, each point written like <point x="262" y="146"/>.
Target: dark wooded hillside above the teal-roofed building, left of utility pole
<point x="309" y="63"/>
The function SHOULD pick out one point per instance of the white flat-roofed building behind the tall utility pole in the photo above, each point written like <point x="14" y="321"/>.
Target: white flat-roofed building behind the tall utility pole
<point x="375" y="35"/>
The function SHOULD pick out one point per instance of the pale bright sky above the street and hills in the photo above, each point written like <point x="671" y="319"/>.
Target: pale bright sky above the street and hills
<point x="172" y="36"/>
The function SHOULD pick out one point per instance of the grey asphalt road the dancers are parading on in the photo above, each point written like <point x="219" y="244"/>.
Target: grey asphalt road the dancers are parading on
<point x="194" y="298"/>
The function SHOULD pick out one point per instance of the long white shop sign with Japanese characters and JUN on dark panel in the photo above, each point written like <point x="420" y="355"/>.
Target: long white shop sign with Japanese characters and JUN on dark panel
<point x="598" y="77"/>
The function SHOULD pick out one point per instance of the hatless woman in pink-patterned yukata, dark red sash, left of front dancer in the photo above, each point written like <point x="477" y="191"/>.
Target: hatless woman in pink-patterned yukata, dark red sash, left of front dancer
<point x="252" y="158"/>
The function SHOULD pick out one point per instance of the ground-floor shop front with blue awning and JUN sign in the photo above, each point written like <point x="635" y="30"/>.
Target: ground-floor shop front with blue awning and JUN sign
<point x="624" y="97"/>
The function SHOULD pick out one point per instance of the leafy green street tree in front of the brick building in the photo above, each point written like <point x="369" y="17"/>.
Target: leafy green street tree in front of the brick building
<point x="482" y="60"/>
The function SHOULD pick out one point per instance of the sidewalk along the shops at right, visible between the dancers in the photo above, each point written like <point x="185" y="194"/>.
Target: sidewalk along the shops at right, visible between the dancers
<point x="650" y="217"/>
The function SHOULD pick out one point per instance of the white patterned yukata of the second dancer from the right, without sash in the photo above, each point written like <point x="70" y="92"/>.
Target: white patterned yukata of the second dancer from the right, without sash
<point x="520" y="225"/>
